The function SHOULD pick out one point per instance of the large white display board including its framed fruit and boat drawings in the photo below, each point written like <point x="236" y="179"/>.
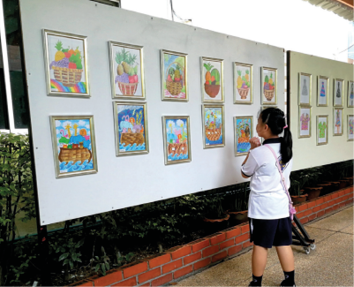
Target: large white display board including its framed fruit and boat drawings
<point x="86" y="105"/>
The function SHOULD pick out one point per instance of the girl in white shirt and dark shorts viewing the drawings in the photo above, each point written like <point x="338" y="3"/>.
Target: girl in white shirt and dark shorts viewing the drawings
<point x="268" y="207"/>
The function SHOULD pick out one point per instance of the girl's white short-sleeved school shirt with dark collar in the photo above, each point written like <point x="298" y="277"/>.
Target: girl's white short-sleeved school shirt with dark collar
<point x="267" y="199"/>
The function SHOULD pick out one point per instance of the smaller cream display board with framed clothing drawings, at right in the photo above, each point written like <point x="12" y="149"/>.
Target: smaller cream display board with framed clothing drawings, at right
<point x="321" y="102"/>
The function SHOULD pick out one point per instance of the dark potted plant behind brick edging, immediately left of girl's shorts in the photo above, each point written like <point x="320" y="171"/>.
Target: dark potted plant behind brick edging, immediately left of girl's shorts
<point x="239" y="204"/>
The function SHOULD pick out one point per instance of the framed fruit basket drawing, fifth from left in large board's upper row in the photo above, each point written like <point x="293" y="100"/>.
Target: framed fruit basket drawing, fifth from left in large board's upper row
<point x="243" y="83"/>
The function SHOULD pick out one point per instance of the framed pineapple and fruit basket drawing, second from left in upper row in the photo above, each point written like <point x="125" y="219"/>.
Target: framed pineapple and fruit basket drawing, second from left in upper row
<point x="127" y="71"/>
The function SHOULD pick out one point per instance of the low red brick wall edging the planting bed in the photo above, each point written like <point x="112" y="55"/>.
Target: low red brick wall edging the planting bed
<point x="182" y="261"/>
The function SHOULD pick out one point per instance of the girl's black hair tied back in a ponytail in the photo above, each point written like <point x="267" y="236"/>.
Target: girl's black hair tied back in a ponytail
<point x="275" y="119"/>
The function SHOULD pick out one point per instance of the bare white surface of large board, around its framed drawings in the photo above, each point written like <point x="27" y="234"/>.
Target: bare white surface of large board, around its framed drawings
<point x="132" y="180"/>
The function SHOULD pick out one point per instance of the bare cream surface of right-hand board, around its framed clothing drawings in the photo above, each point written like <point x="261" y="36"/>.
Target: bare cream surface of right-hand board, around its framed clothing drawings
<point x="306" y="153"/>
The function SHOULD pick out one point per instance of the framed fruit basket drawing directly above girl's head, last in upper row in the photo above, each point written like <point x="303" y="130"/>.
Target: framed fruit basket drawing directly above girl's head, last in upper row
<point x="269" y="86"/>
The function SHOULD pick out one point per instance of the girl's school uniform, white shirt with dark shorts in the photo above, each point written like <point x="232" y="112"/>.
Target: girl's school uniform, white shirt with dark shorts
<point x="268" y="205"/>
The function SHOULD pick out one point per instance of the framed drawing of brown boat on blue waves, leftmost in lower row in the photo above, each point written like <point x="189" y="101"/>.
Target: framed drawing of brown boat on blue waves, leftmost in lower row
<point x="74" y="148"/>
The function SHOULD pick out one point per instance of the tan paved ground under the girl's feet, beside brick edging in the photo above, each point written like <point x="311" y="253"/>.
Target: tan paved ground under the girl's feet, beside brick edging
<point x="330" y="264"/>
